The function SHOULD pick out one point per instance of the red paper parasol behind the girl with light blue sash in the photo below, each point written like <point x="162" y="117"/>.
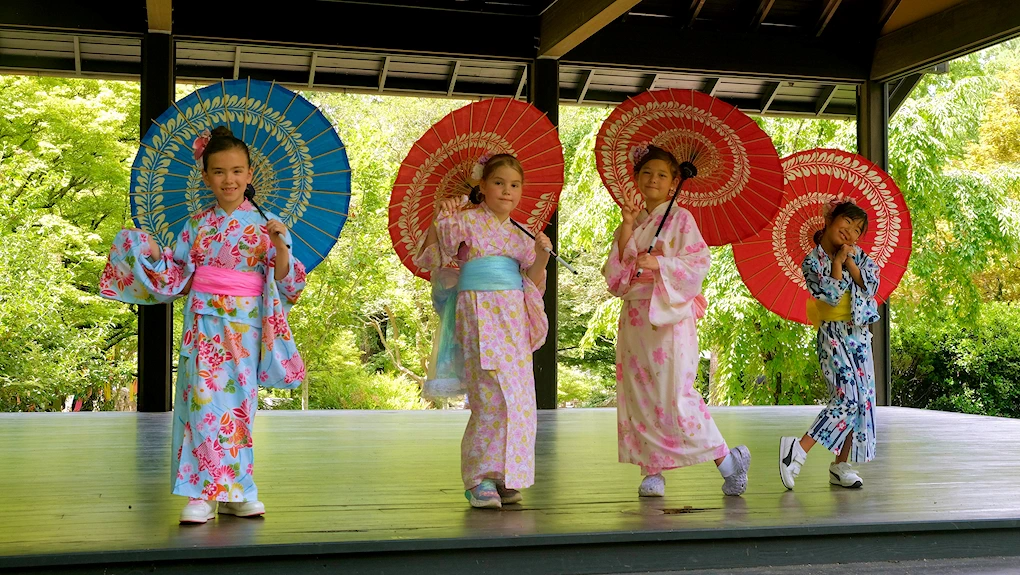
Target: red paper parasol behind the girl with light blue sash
<point x="440" y="167"/>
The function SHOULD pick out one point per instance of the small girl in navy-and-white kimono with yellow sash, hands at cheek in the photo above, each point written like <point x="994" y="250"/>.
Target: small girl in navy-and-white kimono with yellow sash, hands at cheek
<point x="843" y="282"/>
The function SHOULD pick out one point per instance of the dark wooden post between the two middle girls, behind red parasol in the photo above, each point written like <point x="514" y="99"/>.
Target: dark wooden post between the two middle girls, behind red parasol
<point x="544" y="92"/>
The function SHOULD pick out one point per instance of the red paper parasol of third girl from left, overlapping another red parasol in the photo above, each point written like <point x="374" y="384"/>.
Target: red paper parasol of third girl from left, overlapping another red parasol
<point x="739" y="186"/>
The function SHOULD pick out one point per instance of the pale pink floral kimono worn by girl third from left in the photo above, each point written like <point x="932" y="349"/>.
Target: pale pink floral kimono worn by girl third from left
<point x="664" y="423"/>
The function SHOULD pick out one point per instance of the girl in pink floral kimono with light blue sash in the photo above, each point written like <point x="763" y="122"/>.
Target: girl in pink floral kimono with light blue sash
<point x="497" y="320"/>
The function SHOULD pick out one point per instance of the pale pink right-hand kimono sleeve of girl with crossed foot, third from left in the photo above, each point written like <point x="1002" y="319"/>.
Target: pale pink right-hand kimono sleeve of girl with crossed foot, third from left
<point x="683" y="268"/>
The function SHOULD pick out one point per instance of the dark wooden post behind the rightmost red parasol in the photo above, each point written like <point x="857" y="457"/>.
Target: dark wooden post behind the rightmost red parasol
<point x="873" y="143"/>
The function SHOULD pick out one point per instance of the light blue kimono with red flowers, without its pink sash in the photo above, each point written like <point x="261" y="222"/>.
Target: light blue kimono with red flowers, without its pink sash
<point x="216" y="402"/>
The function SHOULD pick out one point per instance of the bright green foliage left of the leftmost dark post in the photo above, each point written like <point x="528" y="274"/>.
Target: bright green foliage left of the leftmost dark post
<point x="65" y="152"/>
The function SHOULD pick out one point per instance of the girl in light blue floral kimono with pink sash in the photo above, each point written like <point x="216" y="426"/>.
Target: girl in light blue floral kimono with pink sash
<point x="234" y="266"/>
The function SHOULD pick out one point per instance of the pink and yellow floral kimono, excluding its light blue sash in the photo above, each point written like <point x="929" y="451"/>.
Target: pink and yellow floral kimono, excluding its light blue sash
<point x="498" y="332"/>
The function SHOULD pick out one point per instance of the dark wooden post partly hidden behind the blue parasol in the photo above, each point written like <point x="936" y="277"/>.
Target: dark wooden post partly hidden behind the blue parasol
<point x="156" y="324"/>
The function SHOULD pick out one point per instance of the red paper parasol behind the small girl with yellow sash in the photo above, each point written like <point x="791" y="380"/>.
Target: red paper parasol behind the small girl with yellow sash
<point x="771" y="263"/>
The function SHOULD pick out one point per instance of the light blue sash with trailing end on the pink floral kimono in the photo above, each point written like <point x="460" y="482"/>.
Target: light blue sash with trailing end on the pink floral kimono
<point x="492" y="274"/>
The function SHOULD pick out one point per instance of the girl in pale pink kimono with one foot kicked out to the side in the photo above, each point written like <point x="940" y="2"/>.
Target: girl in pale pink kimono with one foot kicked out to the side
<point x="662" y="422"/>
